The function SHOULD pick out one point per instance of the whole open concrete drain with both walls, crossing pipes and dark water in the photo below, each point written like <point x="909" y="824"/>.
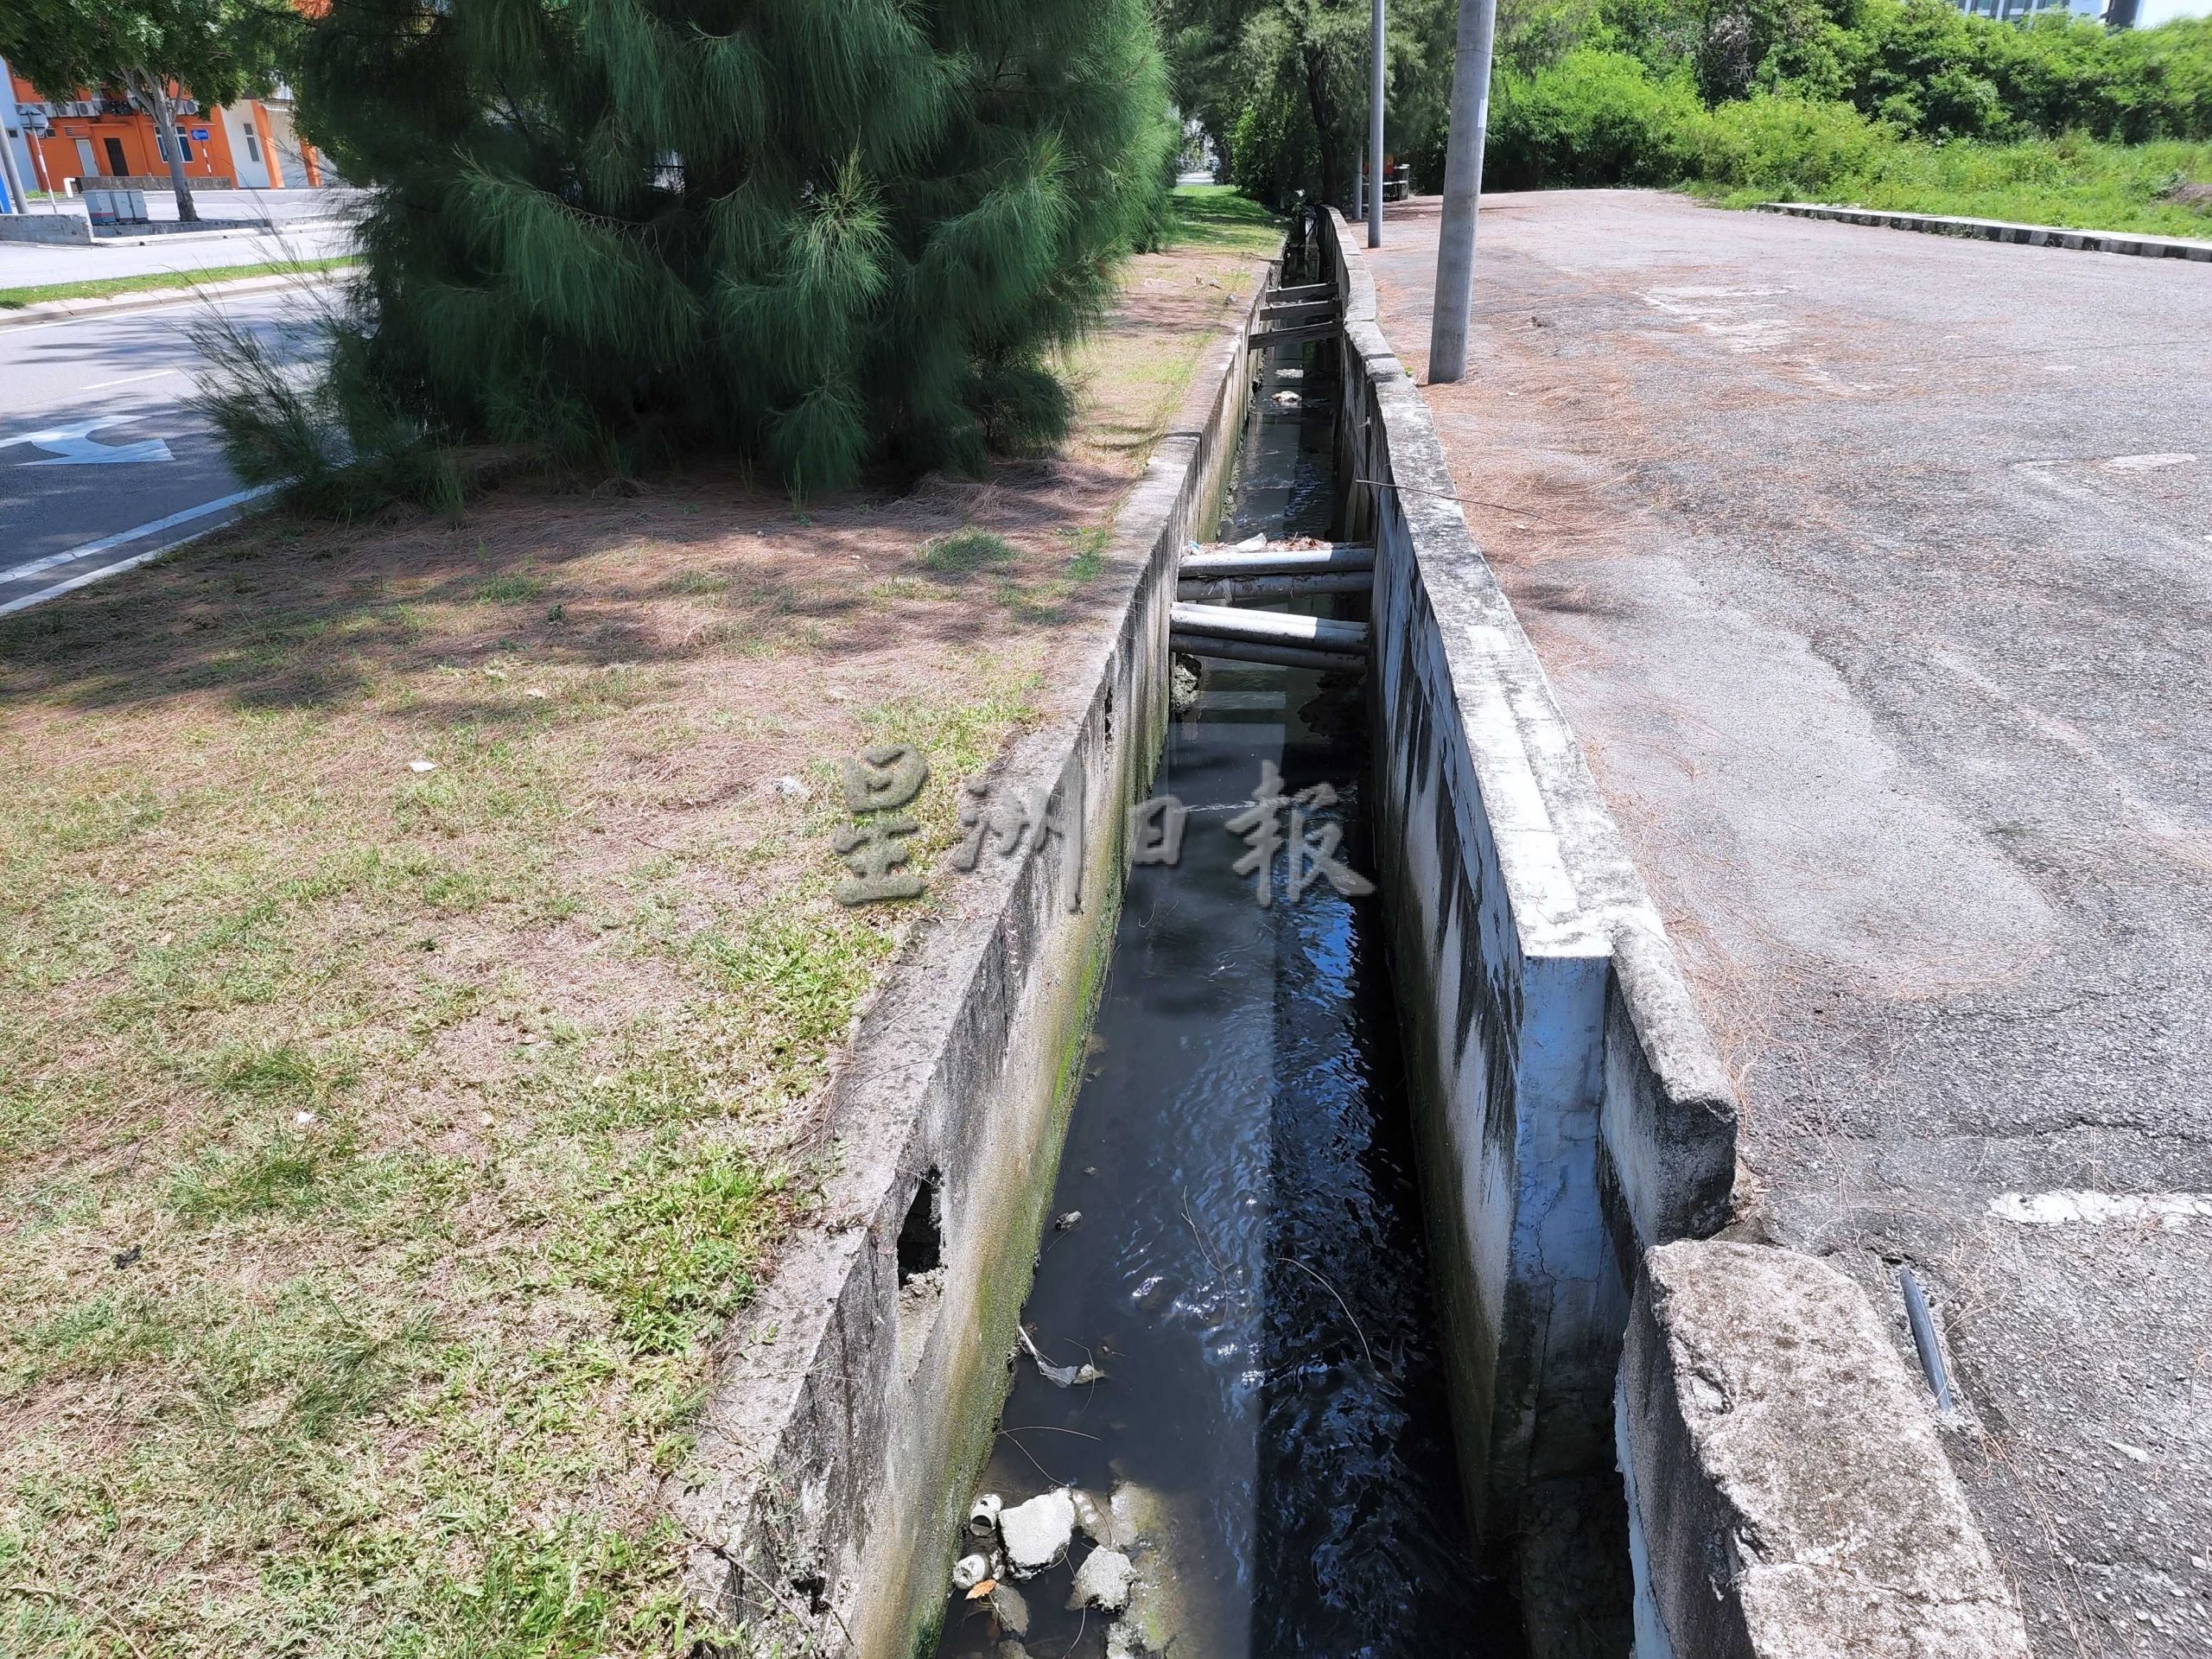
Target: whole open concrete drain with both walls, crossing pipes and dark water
<point x="1375" y="1304"/>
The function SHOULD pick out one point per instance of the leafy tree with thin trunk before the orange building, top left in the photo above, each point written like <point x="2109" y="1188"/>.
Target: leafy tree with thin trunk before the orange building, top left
<point x="216" y="50"/>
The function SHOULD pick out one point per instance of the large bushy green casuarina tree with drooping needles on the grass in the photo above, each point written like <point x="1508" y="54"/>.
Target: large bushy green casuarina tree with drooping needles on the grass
<point x="817" y="233"/>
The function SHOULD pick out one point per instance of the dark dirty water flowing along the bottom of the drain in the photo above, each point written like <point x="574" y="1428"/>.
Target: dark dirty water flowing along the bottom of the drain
<point x="1249" y="1266"/>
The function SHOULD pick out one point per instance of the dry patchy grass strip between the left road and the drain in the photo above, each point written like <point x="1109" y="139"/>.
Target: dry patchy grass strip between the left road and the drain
<point x="382" y="1147"/>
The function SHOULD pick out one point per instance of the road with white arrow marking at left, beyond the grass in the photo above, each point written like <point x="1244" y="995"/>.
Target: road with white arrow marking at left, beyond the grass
<point x="103" y="452"/>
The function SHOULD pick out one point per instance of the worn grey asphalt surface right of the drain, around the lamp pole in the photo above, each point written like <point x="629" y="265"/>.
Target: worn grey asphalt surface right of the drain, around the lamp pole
<point x="1877" y="576"/>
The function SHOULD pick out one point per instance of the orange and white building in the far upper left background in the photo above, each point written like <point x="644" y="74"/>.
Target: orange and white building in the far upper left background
<point x="103" y="138"/>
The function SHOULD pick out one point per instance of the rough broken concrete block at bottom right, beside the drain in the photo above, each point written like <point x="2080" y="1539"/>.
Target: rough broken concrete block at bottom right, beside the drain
<point x="1793" y="1499"/>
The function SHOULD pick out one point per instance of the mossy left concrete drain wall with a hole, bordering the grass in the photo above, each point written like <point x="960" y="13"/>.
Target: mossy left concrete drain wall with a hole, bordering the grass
<point x="848" y="1415"/>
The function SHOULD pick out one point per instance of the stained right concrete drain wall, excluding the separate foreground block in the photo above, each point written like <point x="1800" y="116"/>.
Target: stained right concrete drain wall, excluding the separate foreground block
<point x="1569" y="1103"/>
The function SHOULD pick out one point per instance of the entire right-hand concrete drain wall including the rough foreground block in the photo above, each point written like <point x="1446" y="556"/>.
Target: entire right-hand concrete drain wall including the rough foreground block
<point x="1786" y="1492"/>
